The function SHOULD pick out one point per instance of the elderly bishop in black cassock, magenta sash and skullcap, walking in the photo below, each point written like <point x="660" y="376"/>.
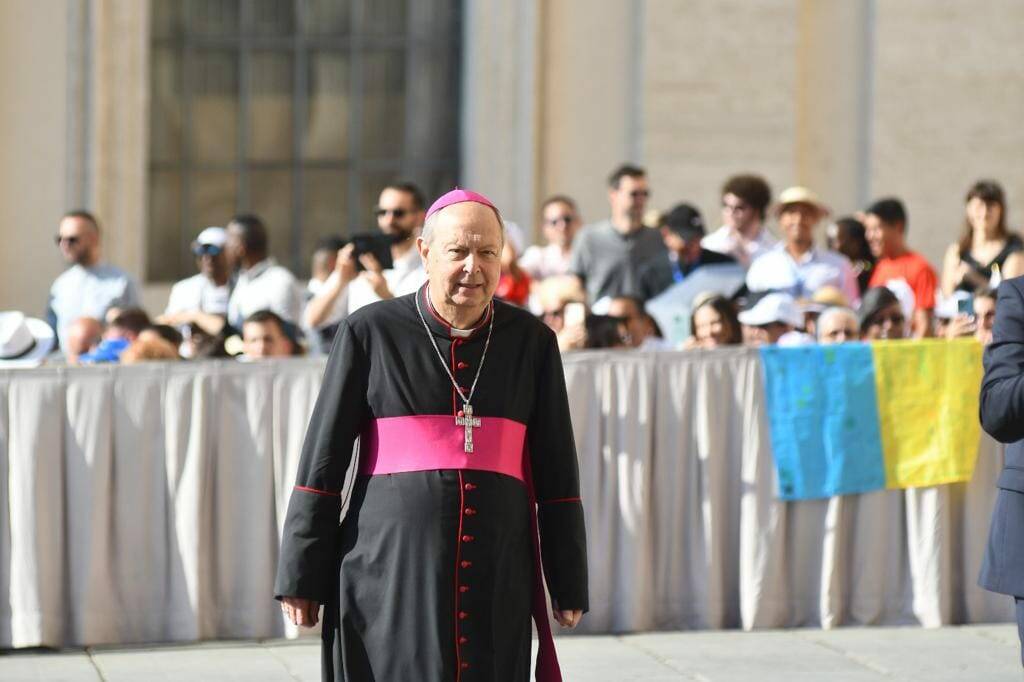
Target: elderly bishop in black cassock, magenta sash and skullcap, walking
<point x="467" y="482"/>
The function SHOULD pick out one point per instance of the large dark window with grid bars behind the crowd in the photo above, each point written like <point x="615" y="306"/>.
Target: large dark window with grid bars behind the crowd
<point x="298" y="111"/>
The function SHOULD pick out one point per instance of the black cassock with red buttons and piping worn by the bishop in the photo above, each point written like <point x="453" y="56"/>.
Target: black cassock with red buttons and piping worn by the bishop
<point x="431" y="575"/>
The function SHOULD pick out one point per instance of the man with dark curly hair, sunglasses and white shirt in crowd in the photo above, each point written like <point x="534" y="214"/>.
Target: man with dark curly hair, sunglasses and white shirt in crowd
<point x="744" y="236"/>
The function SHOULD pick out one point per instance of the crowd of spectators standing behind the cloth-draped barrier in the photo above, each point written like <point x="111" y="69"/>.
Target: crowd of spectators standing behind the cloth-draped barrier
<point x="637" y="279"/>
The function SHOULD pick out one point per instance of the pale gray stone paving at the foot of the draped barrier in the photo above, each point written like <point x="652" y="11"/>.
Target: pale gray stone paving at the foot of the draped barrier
<point x="983" y="654"/>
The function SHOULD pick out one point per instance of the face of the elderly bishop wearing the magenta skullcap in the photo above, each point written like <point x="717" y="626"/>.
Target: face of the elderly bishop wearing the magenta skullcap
<point x="463" y="259"/>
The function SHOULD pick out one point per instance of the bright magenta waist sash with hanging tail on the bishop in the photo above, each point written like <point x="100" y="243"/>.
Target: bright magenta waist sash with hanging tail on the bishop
<point x="400" y="445"/>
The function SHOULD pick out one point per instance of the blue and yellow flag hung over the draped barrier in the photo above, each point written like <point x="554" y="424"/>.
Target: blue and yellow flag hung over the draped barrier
<point x="854" y="418"/>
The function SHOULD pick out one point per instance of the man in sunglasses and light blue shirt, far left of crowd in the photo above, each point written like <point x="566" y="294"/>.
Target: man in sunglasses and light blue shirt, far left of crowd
<point x="89" y="288"/>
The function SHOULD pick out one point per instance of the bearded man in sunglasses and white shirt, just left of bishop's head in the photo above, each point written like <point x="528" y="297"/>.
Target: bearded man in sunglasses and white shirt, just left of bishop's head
<point x="400" y="215"/>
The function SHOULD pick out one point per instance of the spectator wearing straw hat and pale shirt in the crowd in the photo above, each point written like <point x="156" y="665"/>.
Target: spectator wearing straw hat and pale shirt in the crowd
<point x="796" y="267"/>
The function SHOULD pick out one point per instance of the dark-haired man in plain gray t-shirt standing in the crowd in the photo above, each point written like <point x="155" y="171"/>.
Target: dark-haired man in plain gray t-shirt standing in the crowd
<point x="609" y="257"/>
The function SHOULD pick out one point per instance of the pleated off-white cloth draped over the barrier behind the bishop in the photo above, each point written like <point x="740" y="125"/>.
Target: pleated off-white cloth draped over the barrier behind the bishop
<point x="144" y="504"/>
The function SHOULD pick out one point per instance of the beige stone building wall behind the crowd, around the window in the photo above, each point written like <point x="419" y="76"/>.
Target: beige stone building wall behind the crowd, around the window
<point x="854" y="99"/>
